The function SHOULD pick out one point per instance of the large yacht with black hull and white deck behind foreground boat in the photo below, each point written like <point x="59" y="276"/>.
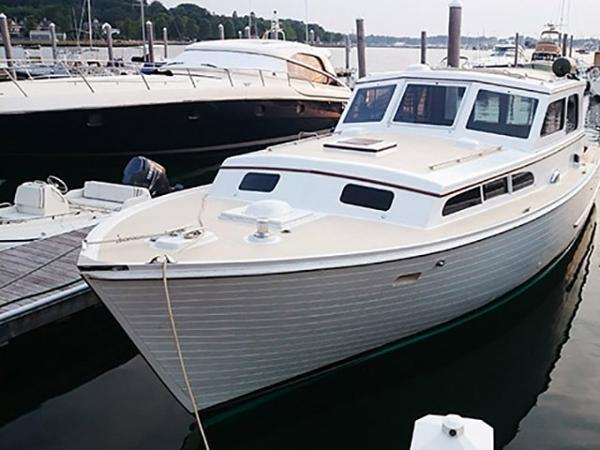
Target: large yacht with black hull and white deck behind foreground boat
<point x="215" y="97"/>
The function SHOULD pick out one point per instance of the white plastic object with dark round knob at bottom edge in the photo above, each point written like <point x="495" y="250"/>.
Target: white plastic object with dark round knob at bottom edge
<point x="452" y="432"/>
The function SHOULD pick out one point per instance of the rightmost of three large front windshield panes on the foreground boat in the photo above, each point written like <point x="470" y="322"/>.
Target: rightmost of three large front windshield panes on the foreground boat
<point x="504" y="114"/>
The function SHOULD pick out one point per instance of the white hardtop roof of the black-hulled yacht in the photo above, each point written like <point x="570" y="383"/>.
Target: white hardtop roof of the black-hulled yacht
<point x="270" y="47"/>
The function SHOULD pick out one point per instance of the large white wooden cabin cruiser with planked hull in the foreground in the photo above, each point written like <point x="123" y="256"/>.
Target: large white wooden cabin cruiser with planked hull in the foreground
<point x="439" y="192"/>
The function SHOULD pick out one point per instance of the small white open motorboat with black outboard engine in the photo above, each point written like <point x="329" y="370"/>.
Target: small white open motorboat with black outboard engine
<point x="45" y="209"/>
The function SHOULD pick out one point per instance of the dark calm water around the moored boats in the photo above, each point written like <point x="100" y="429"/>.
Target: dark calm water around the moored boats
<point x="531" y="369"/>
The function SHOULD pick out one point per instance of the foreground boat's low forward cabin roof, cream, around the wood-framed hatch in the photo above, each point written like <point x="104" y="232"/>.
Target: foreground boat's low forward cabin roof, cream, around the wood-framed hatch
<point x="426" y="164"/>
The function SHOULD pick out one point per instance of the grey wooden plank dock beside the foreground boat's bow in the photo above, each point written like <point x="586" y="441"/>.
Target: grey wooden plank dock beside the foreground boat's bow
<point x="40" y="283"/>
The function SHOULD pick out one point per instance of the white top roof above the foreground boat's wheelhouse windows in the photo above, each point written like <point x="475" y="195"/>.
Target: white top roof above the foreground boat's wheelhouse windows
<point x="534" y="80"/>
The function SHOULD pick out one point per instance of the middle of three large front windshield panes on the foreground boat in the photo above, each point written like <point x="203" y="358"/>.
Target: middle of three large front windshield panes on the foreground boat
<point x="429" y="104"/>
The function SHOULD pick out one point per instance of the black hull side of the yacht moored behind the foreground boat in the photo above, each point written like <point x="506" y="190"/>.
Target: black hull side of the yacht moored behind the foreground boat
<point x="165" y="129"/>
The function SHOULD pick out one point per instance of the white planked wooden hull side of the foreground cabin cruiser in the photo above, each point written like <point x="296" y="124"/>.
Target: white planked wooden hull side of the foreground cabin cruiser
<point x="243" y="334"/>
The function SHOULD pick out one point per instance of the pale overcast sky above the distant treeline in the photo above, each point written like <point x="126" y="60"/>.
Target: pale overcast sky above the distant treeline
<point x="409" y="17"/>
